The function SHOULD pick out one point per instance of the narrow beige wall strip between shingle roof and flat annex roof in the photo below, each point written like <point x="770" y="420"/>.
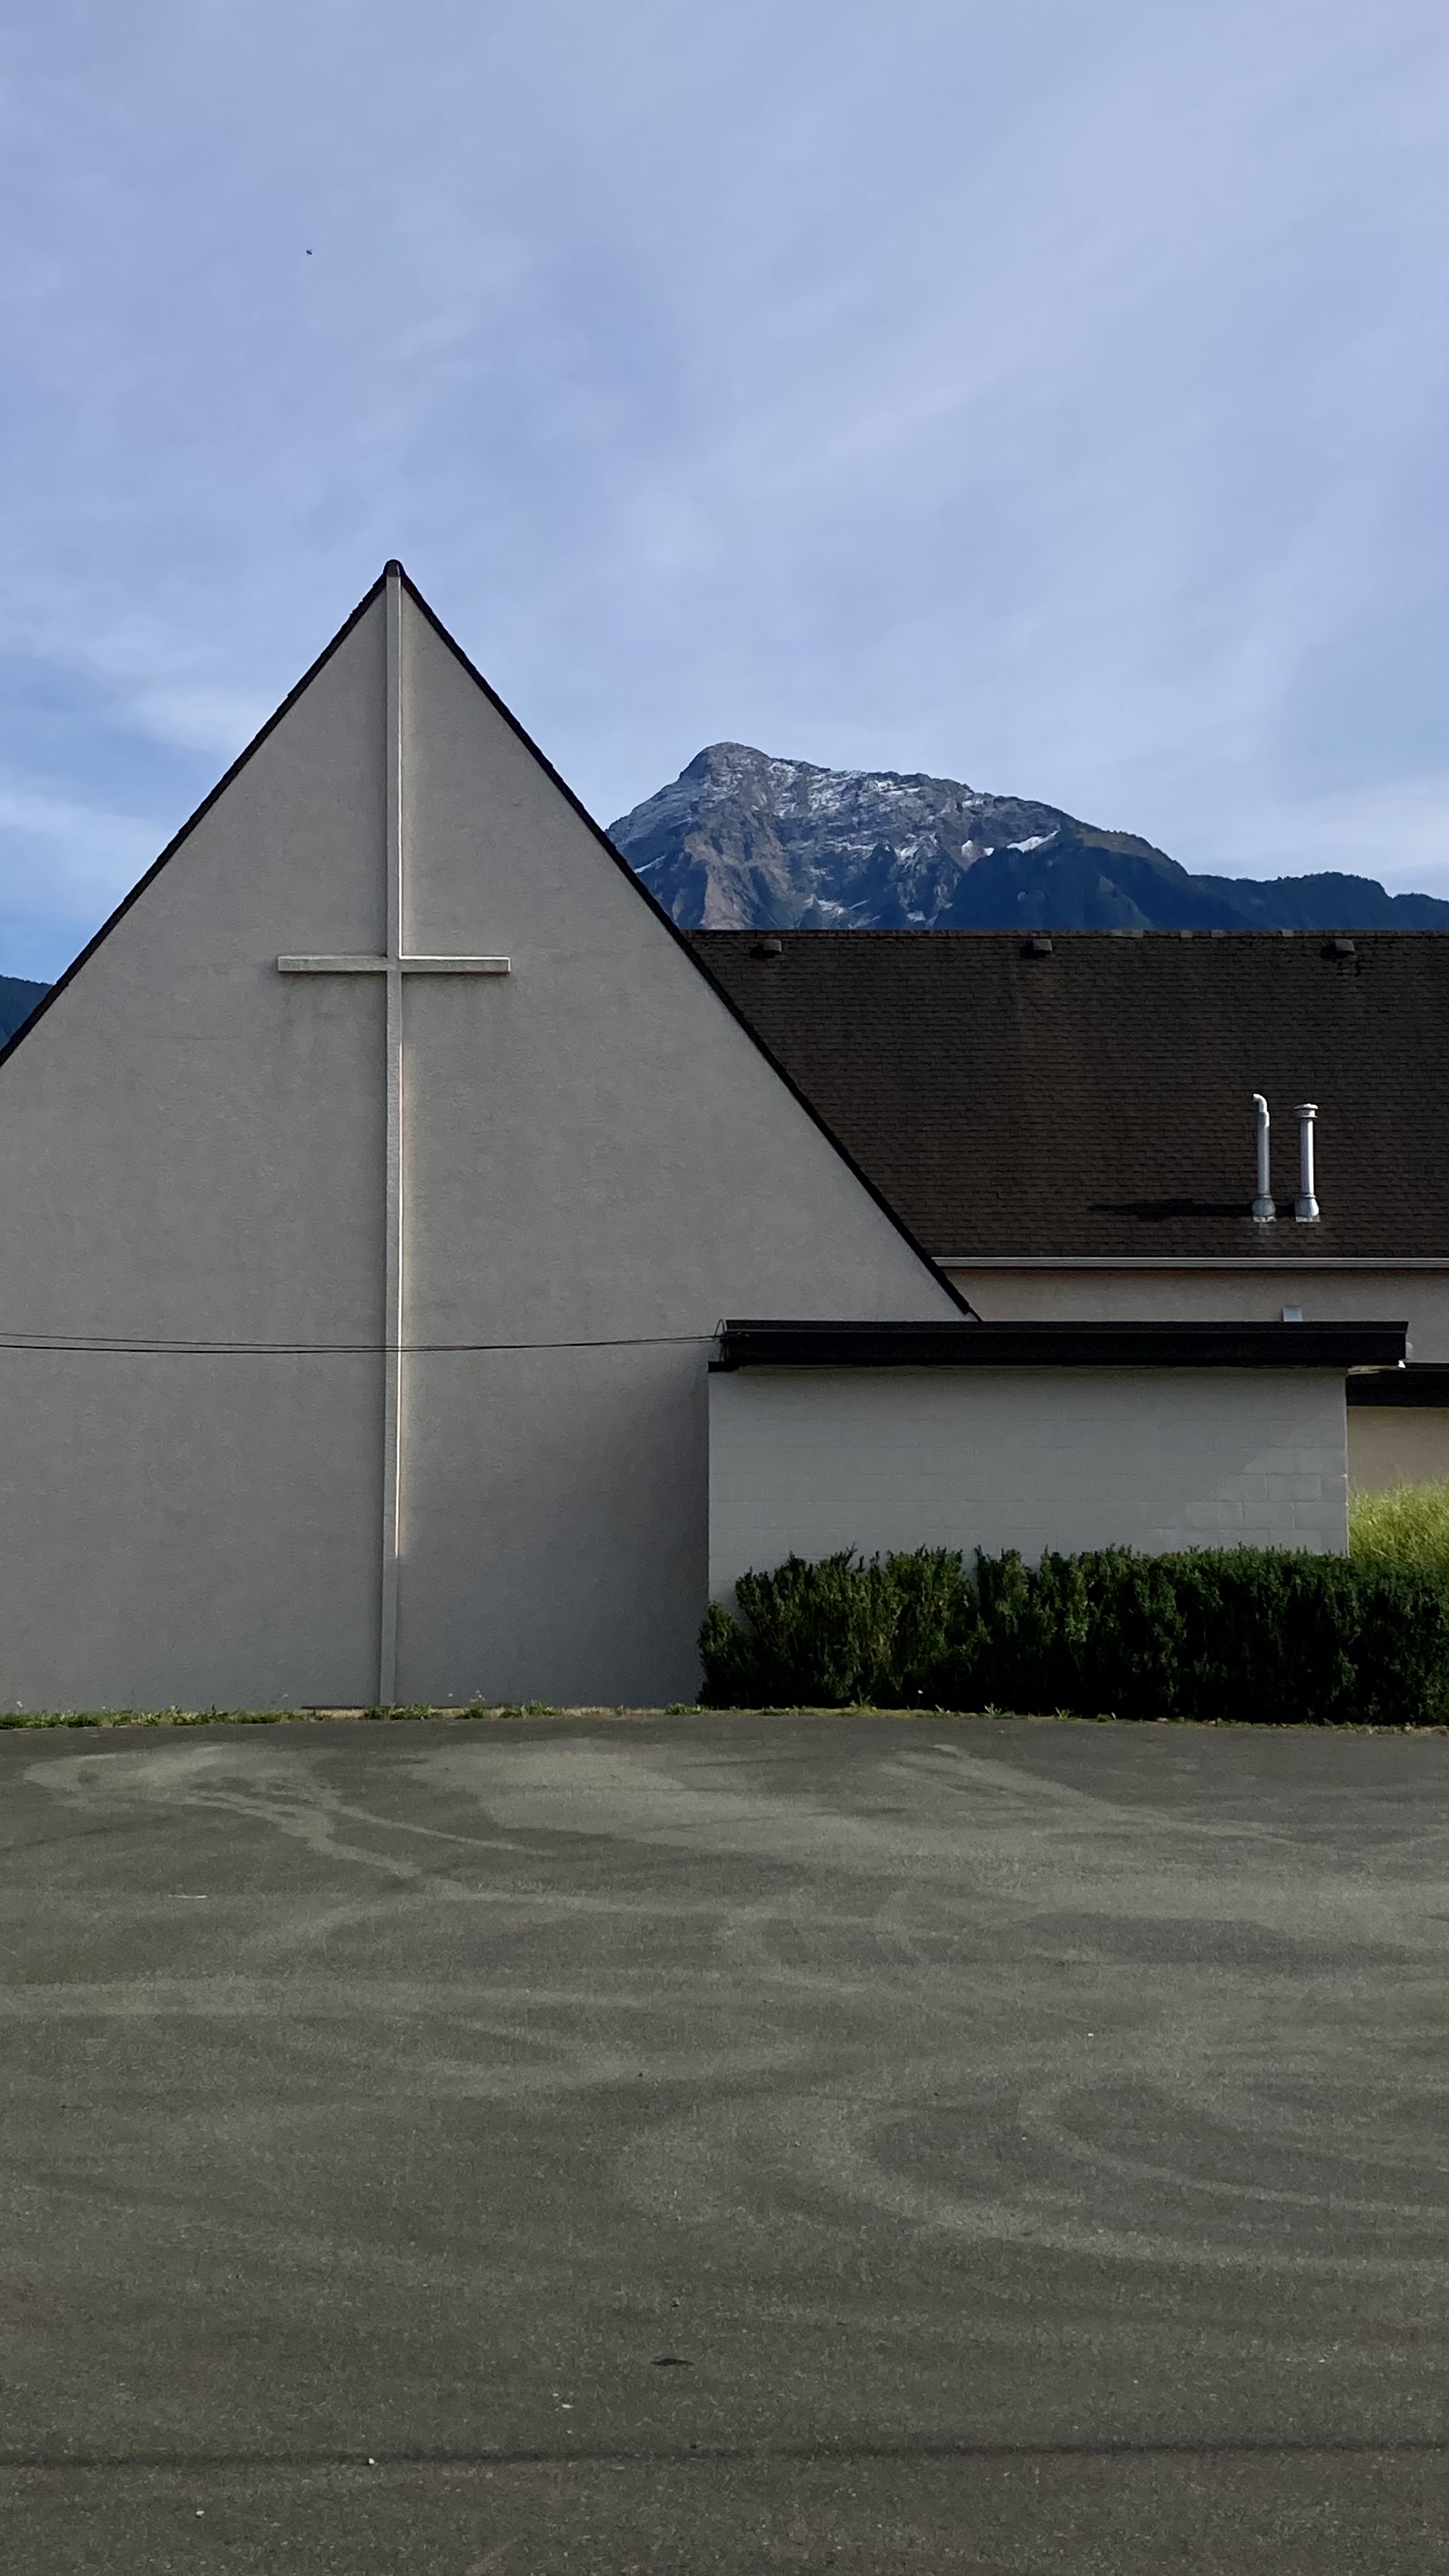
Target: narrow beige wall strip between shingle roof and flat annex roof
<point x="1200" y="1297"/>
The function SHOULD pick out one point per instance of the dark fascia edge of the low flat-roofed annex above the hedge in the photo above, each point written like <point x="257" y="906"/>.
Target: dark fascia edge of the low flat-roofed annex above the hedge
<point x="746" y="1343"/>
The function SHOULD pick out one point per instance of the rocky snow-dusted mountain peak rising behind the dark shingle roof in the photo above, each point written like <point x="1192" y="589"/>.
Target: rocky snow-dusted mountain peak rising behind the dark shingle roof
<point x="752" y="844"/>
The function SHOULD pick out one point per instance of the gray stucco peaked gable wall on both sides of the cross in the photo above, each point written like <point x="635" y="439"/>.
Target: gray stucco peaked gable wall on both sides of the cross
<point x="192" y="1148"/>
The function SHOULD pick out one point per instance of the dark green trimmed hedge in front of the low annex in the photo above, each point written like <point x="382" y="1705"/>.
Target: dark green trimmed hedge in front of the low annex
<point x="1211" y="1634"/>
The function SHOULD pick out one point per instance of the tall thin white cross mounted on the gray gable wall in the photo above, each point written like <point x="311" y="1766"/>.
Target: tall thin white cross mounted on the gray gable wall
<point x="393" y="965"/>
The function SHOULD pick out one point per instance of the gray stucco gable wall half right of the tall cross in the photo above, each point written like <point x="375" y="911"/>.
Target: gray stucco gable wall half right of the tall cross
<point x="597" y="1150"/>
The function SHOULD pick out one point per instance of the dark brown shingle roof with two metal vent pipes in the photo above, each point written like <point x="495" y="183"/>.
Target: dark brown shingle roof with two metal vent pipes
<point x="1100" y="1101"/>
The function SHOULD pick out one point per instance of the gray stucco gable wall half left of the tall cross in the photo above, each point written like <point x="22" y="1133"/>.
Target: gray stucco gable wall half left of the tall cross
<point x="190" y="1150"/>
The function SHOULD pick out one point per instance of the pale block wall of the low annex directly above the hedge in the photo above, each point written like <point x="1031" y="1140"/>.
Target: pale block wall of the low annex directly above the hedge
<point x="806" y="1462"/>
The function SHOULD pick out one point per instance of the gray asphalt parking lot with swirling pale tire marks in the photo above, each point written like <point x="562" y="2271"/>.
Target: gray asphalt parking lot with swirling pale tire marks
<point x="723" y="2147"/>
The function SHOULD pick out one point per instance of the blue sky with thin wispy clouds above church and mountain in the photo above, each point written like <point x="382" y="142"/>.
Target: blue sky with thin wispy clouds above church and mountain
<point x="1040" y="395"/>
